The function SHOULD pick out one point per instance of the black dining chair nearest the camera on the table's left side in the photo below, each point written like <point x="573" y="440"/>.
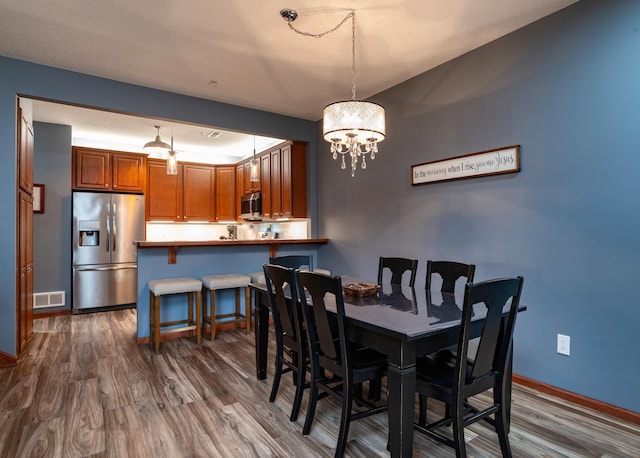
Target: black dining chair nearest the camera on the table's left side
<point x="331" y="352"/>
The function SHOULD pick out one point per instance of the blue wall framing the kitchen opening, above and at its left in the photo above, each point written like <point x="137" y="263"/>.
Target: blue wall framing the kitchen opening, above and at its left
<point x="23" y="78"/>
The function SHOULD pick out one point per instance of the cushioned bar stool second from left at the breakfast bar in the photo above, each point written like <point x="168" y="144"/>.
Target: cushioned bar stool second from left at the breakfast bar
<point x="213" y="283"/>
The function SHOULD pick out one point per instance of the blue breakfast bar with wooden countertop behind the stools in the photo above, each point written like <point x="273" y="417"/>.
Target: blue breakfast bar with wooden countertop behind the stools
<point x="168" y="259"/>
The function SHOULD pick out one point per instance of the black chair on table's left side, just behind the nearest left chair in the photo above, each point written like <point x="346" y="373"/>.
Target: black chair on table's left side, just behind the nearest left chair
<point x="291" y="345"/>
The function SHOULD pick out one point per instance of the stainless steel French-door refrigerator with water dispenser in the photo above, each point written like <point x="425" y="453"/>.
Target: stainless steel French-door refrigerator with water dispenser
<point x="104" y="257"/>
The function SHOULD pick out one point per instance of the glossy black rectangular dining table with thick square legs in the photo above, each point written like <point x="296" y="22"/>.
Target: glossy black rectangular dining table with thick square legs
<point x="400" y="321"/>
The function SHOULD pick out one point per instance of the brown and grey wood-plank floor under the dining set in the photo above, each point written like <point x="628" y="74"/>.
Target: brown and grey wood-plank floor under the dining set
<point x="85" y="388"/>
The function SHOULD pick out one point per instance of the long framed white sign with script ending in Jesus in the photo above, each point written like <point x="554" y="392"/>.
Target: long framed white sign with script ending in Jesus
<point x="484" y="163"/>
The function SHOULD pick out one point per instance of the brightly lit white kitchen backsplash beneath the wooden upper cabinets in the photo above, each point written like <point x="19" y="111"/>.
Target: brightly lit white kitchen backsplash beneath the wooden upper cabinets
<point x="292" y="229"/>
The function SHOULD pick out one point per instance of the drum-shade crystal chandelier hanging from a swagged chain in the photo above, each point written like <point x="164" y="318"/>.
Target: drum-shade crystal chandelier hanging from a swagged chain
<point x="353" y="127"/>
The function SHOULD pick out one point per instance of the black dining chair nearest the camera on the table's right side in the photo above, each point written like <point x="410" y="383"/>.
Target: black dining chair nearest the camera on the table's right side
<point x="454" y="380"/>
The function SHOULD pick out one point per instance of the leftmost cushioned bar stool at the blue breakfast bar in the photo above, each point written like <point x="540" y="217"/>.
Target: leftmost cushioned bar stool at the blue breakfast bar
<point x="164" y="287"/>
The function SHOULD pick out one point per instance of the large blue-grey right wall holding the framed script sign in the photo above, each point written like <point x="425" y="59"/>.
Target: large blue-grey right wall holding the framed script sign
<point x="565" y="88"/>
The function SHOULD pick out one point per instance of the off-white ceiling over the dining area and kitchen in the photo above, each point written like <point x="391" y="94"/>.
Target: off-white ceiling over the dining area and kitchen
<point x="244" y="54"/>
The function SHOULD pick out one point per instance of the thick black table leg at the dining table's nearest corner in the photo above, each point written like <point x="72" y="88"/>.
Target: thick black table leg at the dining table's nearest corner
<point x="402" y="384"/>
